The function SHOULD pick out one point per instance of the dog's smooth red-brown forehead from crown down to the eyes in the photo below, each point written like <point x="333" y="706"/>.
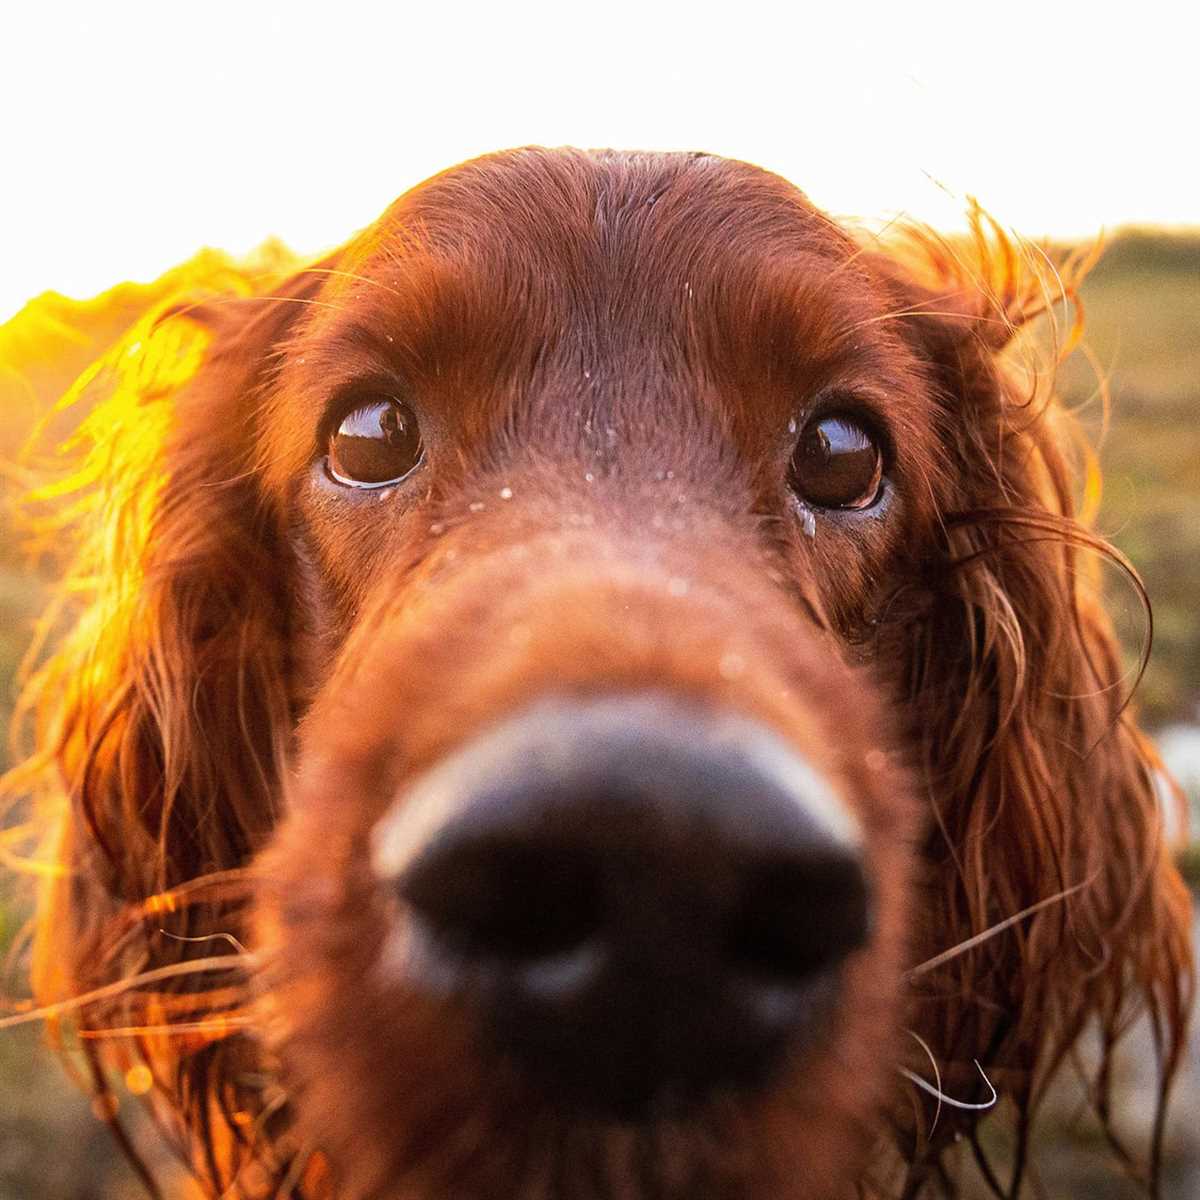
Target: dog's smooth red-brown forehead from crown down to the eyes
<point x="566" y="290"/>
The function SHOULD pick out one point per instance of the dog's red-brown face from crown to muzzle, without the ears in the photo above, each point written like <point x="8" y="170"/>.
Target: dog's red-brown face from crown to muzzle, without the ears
<point x="596" y="469"/>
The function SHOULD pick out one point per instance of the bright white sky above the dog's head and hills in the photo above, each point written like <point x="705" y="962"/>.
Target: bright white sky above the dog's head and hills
<point x="135" y="134"/>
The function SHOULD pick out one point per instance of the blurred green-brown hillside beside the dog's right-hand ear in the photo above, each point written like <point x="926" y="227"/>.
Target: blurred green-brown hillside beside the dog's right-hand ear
<point x="1143" y="313"/>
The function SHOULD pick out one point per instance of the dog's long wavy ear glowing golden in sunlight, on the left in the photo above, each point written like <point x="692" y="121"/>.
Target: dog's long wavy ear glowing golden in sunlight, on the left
<point x="163" y="717"/>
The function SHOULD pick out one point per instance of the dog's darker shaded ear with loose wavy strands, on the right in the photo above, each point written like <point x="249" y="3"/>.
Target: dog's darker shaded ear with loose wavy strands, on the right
<point x="1046" y="797"/>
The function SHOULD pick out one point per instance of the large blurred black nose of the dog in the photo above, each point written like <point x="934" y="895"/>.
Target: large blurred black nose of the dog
<point x="643" y="901"/>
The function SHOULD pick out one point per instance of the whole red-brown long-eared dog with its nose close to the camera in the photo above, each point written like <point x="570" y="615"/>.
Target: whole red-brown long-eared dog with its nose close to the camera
<point x="596" y="691"/>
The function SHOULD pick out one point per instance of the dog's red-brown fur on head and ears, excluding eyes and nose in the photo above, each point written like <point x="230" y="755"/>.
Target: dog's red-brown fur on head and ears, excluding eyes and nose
<point x="257" y="667"/>
